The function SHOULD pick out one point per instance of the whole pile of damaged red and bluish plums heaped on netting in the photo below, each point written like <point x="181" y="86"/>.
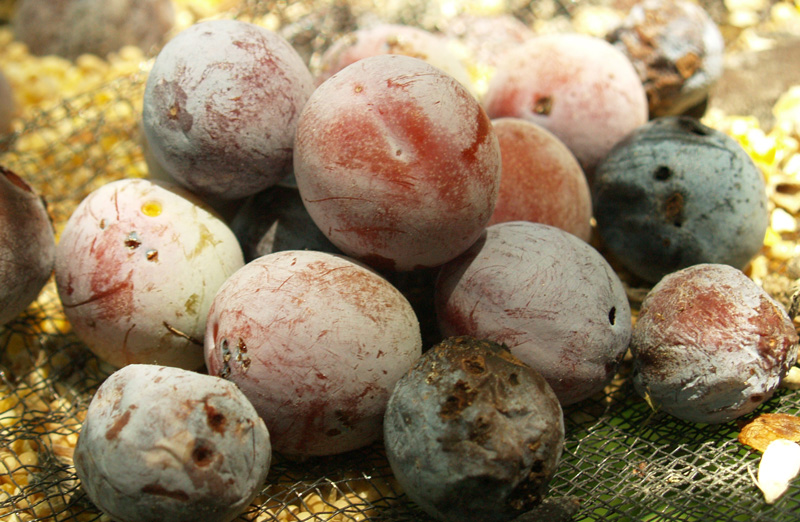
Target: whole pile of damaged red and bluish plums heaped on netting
<point x="385" y="163"/>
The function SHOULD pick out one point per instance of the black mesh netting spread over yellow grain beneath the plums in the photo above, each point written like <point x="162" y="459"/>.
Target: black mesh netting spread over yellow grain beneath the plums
<point x="622" y="461"/>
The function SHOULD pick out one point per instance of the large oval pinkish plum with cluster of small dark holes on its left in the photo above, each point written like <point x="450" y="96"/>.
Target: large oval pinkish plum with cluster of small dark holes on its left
<point x="316" y="341"/>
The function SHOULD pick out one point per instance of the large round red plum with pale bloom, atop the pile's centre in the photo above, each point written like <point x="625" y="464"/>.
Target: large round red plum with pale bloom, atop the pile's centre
<point x="397" y="163"/>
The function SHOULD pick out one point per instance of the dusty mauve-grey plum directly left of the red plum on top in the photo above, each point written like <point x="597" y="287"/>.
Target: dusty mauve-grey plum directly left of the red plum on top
<point x="221" y="105"/>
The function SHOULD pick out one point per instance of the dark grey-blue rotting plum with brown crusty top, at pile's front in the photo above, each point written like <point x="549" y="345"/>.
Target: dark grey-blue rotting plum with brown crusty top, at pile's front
<point x="473" y="433"/>
